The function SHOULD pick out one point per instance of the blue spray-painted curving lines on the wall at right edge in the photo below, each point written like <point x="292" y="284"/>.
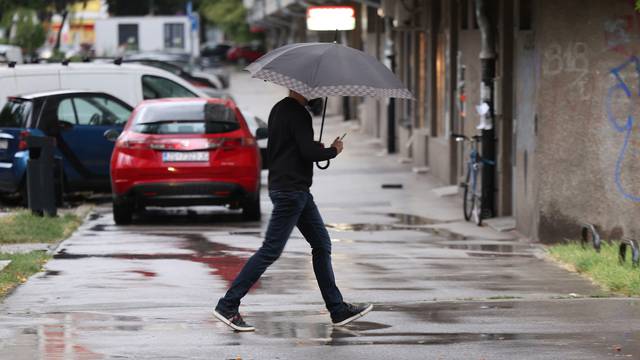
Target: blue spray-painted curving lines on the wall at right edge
<point x="621" y="88"/>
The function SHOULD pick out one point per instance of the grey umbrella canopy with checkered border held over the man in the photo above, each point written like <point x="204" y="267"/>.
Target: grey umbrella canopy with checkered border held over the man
<point x="328" y="69"/>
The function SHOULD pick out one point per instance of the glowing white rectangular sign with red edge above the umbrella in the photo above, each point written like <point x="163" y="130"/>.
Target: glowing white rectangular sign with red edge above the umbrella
<point x="327" y="18"/>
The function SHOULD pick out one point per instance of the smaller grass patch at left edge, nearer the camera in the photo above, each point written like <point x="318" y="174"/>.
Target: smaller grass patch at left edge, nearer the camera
<point x="21" y="268"/>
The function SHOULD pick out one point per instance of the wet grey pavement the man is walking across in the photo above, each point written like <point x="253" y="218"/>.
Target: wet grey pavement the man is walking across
<point x="442" y="288"/>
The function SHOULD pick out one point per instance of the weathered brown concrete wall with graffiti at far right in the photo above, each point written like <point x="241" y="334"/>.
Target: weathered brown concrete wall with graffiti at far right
<point x="588" y="143"/>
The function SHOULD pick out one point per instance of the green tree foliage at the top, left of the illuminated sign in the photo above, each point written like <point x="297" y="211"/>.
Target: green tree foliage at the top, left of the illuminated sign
<point x="230" y="16"/>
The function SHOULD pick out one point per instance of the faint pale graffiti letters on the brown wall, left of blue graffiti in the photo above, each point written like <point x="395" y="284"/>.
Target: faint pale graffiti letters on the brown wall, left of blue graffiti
<point x="573" y="60"/>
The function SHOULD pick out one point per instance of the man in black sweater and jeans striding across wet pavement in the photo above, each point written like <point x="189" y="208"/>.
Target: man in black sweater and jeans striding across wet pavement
<point x="291" y="152"/>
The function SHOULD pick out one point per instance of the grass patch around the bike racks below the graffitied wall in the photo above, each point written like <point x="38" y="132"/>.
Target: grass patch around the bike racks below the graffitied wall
<point x="602" y="267"/>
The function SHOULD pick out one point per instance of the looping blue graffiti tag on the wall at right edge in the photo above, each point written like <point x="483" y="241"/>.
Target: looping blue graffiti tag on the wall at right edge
<point x="621" y="114"/>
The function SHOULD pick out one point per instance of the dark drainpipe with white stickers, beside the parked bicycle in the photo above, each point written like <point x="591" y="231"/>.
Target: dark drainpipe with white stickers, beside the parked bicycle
<point x="488" y="64"/>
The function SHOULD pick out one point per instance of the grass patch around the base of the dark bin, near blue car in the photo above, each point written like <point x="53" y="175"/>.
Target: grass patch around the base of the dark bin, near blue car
<point x="24" y="227"/>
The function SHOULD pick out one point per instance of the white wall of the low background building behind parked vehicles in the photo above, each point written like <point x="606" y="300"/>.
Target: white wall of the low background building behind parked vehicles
<point x="150" y="34"/>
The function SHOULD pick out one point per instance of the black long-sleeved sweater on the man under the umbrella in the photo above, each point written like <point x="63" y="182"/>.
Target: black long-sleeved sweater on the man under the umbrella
<point x="291" y="148"/>
